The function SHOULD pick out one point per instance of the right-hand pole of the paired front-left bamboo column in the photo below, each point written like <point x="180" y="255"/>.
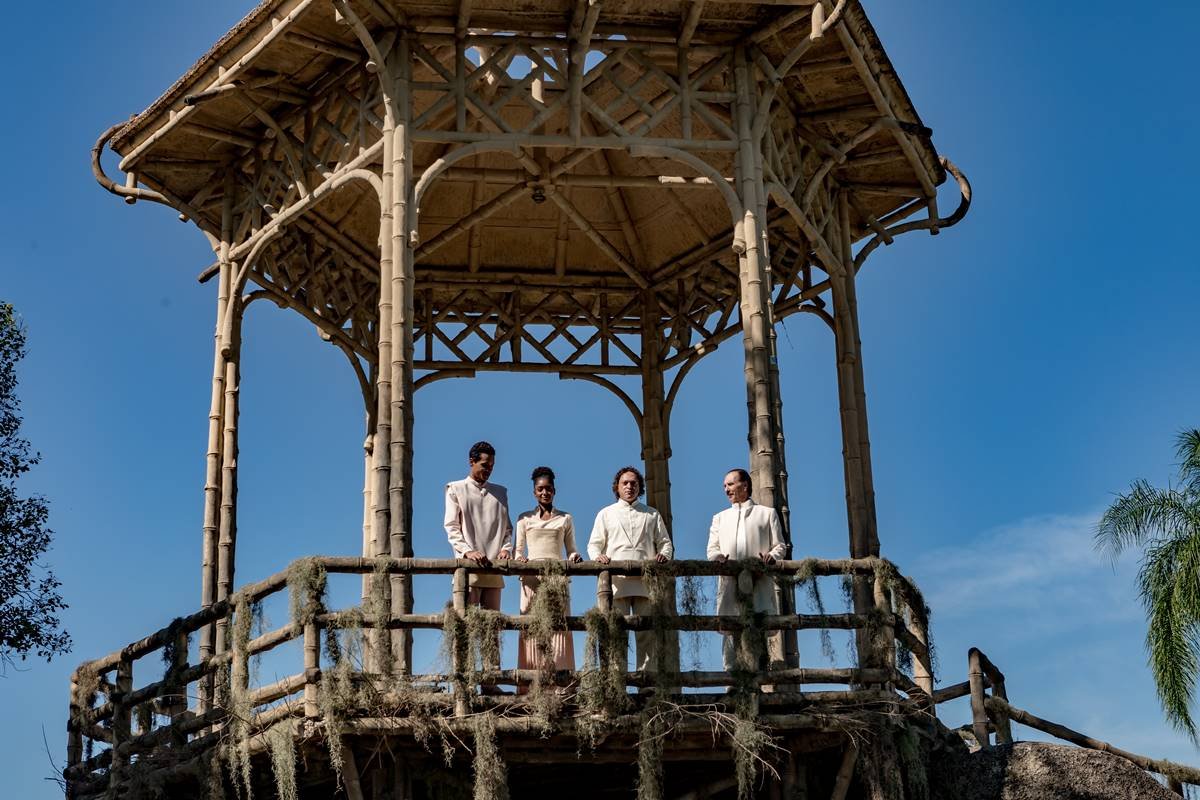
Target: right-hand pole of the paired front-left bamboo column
<point x="400" y="489"/>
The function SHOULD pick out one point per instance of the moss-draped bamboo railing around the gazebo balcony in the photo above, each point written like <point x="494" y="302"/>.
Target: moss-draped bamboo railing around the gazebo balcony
<point x="181" y="715"/>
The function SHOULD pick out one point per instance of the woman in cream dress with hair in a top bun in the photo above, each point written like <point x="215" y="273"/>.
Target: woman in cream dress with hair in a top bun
<point x="545" y="533"/>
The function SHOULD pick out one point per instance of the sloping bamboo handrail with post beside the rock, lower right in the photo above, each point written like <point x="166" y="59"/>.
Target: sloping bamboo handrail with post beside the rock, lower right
<point x="994" y="714"/>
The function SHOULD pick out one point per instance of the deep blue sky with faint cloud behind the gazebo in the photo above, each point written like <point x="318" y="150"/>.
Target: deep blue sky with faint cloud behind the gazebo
<point x="1021" y="368"/>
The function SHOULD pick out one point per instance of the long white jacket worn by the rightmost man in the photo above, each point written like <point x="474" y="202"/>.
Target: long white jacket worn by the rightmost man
<point x="761" y="533"/>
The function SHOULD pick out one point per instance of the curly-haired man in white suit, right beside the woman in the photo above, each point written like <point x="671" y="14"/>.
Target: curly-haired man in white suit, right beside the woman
<point x="629" y="531"/>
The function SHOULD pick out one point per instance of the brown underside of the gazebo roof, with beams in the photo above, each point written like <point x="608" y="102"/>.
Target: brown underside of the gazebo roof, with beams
<point x="290" y="95"/>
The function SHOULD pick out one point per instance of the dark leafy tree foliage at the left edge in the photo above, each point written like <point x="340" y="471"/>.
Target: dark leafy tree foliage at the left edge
<point x="31" y="601"/>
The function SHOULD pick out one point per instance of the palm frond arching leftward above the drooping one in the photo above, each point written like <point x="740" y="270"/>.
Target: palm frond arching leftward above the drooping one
<point x="1143" y="515"/>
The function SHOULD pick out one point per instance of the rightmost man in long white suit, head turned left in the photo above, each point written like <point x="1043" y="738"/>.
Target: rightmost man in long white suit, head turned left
<point x="745" y="531"/>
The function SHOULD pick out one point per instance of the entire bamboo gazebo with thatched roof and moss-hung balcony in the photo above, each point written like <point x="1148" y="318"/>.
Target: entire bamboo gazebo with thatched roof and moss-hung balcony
<point x="554" y="187"/>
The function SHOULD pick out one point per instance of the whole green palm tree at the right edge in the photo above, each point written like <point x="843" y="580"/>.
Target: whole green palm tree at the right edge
<point x="1166" y="525"/>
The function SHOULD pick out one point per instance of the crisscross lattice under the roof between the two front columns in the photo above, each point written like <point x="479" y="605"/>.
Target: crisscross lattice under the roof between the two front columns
<point x="625" y="92"/>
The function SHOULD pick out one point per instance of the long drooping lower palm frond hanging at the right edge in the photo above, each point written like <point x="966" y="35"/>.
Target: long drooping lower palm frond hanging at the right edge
<point x="1172" y="639"/>
